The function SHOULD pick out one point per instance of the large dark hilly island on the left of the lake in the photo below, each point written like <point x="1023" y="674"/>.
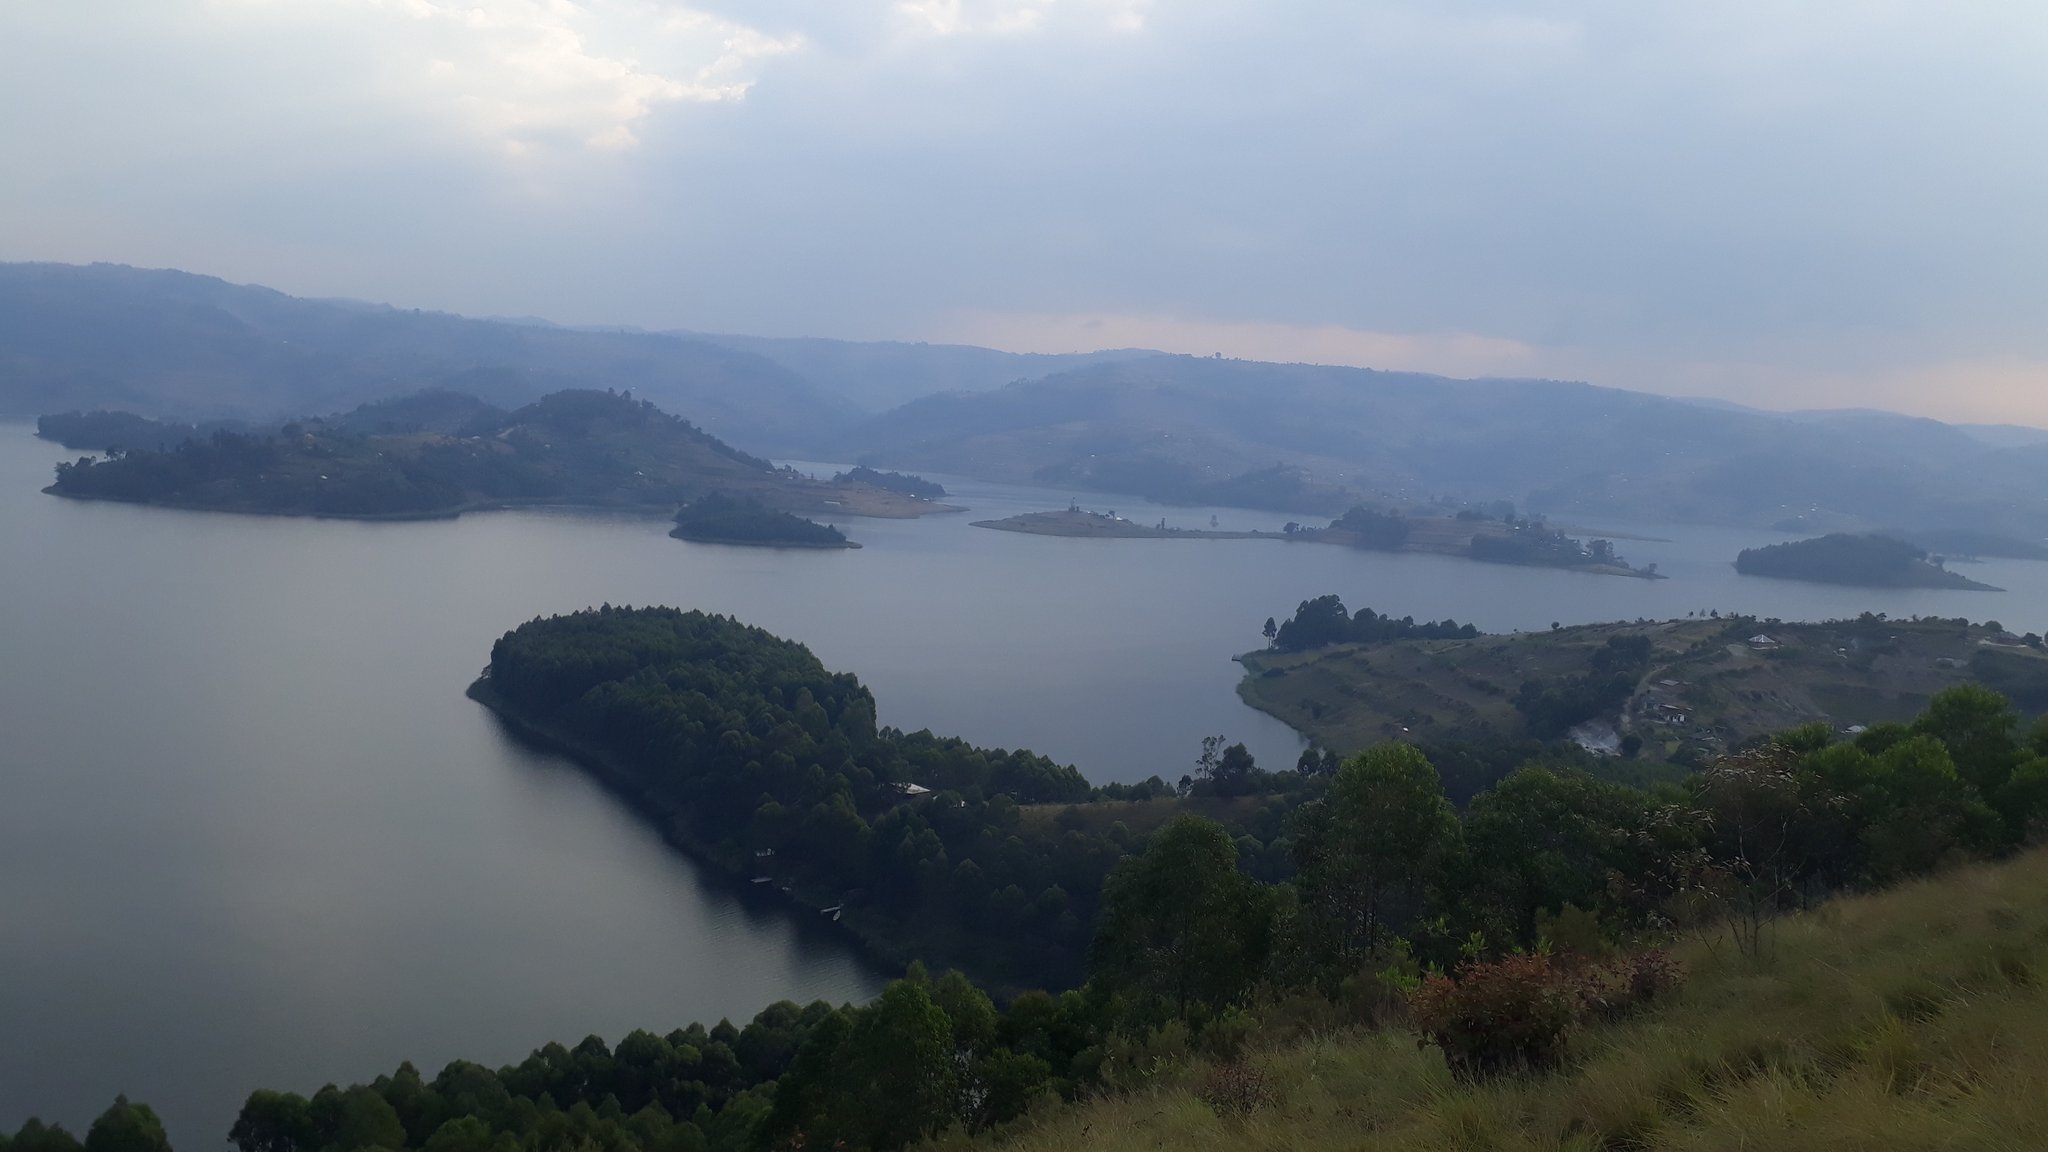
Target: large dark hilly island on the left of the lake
<point x="447" y="454"/>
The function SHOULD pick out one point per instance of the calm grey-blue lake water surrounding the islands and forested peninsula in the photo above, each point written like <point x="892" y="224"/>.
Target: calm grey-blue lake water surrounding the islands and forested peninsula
<point x="255" y="835"/>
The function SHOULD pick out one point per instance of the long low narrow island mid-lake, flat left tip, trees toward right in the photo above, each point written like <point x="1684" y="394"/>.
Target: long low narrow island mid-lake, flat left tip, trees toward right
<point x="1478" y="538"/>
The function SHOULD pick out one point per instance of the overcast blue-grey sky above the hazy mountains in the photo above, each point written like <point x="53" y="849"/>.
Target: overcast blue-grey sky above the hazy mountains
<point x="1777" y="202"/>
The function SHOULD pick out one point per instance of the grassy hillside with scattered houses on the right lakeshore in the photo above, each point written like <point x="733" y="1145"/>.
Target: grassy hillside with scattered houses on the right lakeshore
<point x="1707" y="690"/>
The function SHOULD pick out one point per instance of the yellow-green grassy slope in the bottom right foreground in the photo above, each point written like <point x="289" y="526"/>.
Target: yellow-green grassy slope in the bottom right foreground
<point x="1910" y="1020"/>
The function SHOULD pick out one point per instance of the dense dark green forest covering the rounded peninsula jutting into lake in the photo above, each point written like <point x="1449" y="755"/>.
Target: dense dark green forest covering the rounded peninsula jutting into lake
<point x="769" y="766"/>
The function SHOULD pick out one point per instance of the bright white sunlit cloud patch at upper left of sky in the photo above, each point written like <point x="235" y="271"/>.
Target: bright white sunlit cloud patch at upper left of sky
<point x="534" y="75"/>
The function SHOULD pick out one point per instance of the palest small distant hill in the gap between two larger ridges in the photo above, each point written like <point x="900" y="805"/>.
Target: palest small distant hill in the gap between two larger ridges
<point x="886" y="374"/>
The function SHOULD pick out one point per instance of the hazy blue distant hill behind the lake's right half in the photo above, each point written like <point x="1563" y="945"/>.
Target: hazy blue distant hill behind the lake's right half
<point x="1568" y="450"/>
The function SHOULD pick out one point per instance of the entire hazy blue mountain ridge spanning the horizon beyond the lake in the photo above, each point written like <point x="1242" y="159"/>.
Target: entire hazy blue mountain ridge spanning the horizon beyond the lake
<point x="194" y="347"/>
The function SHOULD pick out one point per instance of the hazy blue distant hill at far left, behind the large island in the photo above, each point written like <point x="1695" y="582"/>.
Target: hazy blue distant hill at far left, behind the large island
<point x="165" y="343"/>
